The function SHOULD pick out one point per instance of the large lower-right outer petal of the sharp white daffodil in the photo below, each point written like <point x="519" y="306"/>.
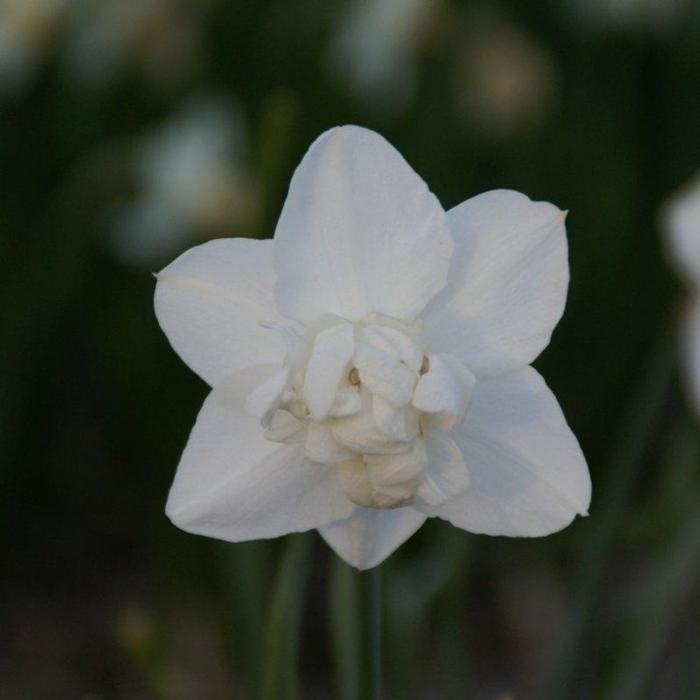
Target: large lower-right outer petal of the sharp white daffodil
<point x="528" y="475"/>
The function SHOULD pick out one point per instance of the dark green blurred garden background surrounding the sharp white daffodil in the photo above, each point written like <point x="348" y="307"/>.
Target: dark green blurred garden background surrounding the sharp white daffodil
<point x="131" y="130"/>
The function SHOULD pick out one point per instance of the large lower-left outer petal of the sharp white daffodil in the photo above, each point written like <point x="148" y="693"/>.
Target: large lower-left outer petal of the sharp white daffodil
<point x="234" y="484"/>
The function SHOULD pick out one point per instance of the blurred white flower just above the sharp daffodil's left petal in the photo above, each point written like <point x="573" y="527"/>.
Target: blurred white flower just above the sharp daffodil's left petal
<point x="191" y="180"/>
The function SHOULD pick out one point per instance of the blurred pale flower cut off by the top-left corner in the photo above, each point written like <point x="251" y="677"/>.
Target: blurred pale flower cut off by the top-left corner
<point x="27" y="30"/>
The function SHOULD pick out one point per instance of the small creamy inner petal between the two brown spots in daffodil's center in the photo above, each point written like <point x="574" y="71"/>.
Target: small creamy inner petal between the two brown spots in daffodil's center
<point x="384" y="375"/>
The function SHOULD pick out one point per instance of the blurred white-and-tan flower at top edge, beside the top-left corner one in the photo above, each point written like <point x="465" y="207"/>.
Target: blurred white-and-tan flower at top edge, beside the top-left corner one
<point x="160" y="38"/>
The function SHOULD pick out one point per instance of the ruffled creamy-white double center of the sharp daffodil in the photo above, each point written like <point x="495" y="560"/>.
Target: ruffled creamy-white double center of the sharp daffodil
<point x="360" y="397"/>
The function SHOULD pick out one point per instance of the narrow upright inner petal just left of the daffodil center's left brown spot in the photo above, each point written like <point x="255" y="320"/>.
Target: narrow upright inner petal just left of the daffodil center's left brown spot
<point x="327" y="365"/>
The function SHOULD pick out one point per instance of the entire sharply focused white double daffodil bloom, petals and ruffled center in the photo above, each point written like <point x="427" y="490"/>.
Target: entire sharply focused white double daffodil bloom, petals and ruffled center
<point x="370" y="364"/>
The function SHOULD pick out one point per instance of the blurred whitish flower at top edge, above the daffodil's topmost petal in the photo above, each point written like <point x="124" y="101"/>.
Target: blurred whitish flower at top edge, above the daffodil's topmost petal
<point x="375" y="49"/>
